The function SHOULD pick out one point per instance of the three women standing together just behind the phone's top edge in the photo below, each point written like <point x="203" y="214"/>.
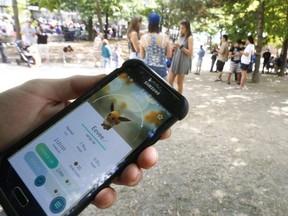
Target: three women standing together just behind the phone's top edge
<point x="156" y="49"/>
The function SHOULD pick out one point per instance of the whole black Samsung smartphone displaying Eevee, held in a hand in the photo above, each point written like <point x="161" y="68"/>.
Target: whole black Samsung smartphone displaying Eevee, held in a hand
<point x="60" y="167"/>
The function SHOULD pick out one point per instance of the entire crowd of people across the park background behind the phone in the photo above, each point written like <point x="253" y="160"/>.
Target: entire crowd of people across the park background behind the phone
<point x="171" y="59"/>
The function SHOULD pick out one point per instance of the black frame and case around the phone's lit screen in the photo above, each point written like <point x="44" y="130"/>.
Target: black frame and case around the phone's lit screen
<point x="177" y="105"/>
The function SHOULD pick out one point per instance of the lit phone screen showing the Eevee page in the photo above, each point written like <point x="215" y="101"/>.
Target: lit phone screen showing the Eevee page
<point x="84" y="148"/>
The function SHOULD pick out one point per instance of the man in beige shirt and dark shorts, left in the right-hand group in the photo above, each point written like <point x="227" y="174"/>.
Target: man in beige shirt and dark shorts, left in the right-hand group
<point x="222" y="57"/>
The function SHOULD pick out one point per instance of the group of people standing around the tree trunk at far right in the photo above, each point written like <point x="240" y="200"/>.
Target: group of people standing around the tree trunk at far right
<point x="242" y="58"/>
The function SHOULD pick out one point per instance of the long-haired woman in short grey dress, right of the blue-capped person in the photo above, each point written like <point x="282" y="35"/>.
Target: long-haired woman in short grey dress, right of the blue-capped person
<point x="182" y="59"/>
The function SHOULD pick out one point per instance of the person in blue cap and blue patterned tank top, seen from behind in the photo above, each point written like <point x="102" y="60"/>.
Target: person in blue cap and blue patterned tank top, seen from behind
<point x="155" y="47"/>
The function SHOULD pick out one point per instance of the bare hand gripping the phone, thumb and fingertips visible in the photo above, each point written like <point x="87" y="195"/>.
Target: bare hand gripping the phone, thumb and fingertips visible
<point x="40" y="100"/>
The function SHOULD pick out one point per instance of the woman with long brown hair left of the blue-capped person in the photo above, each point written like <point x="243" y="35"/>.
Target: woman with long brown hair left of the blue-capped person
<point x="133" y="35"/>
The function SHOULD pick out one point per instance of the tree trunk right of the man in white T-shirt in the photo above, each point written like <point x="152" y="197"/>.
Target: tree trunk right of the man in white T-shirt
<point x="261" y="10"/>
